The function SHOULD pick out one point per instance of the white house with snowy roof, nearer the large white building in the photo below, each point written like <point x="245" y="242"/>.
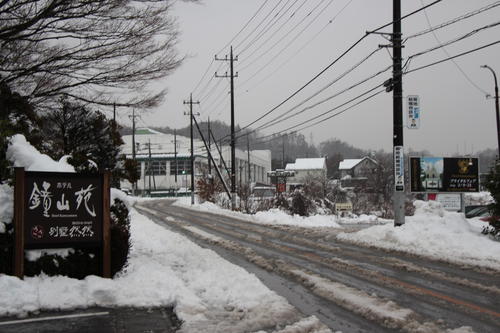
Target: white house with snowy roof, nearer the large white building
<point x="306" y="168"/>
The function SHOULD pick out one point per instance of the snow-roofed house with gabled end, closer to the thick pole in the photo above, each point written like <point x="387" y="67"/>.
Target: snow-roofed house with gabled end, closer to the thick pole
<point x="355" y="172"/>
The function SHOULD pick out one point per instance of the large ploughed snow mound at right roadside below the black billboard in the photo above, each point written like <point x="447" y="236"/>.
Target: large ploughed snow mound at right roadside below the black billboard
<point x="435" y="233"/>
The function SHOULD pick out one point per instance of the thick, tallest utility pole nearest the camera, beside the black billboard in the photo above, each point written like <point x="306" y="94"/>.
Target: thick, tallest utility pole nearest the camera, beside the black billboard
<point x="398" y="148"/>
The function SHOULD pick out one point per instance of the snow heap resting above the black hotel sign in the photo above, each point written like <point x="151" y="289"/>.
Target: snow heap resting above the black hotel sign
<point x="22" y="154"/>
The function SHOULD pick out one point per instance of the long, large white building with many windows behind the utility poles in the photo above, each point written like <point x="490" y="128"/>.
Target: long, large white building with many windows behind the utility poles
<point x="171" y="170"/>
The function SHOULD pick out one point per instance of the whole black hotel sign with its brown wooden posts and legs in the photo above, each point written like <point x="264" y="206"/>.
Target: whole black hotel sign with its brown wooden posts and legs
<point x="61" y="210"/>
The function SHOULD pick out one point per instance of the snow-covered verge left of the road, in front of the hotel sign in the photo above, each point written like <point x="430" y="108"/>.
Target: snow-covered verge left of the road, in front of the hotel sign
<point x="164" y="269"/>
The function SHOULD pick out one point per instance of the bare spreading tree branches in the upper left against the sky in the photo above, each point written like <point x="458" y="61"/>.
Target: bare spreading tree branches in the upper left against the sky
<point x="90" y="50"/>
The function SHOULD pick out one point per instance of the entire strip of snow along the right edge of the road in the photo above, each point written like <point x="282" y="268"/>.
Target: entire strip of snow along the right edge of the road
<point x="431" y="232"/>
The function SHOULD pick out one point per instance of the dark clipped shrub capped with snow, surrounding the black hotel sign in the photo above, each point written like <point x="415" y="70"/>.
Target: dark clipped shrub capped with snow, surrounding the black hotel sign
<point x="70" y="262"/>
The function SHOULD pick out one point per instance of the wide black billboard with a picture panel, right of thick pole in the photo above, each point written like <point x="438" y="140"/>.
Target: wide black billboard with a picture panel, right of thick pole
<point x="444" y="174"/>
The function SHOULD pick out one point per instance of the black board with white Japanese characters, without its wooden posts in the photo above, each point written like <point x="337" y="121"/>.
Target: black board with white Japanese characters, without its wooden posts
<point x="62" y="209"/>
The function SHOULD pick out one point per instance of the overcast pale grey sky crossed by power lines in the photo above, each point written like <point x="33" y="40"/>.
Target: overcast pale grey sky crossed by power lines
<point x="277" y="54"/>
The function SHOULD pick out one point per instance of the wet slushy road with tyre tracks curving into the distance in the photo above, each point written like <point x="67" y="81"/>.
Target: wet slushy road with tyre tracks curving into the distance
<point x="348" y="287"/>
